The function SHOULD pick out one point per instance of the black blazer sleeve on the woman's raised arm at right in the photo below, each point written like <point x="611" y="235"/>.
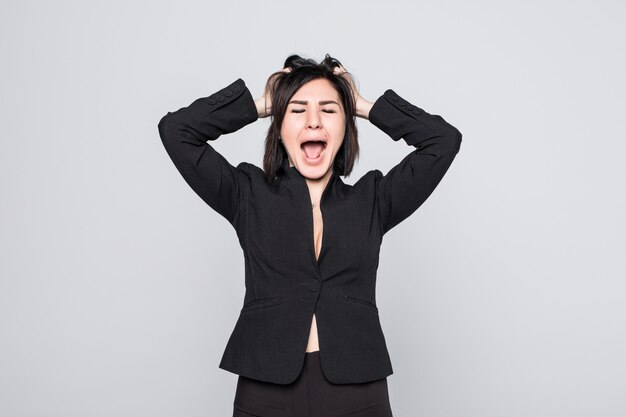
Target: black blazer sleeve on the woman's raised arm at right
<point x="407" y="185"/>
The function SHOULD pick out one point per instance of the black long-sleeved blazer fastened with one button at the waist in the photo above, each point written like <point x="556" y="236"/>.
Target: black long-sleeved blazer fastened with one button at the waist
<point x="285" y="284"/>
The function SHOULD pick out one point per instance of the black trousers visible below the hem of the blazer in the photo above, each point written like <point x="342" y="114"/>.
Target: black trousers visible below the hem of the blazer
<point x="311" y="395"/>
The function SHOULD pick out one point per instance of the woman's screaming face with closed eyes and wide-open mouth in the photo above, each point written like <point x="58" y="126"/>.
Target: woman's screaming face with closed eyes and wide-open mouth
<point x="313" y="128"/>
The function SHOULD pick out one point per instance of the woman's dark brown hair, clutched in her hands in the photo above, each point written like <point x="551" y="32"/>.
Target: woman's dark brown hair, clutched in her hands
<point x="283" y="85"/>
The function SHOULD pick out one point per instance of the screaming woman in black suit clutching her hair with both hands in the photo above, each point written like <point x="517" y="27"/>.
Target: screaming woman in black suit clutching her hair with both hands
<point x="308" y="340"/>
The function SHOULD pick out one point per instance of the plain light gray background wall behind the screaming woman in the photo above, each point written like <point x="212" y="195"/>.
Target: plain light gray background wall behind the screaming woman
<point x="119" y="286"/>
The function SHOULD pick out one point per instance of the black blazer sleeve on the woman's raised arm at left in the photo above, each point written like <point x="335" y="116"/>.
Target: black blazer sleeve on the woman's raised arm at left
<point x="186" y="132"/>
